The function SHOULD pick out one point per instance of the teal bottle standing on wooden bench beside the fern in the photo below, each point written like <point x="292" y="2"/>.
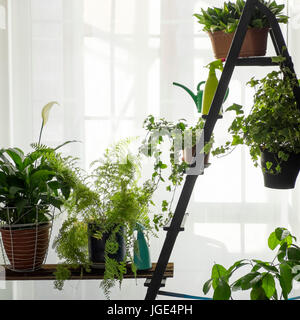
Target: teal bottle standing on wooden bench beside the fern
<point x="142" y="254"/>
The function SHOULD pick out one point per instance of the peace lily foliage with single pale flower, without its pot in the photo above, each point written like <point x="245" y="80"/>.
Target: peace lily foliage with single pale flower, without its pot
<point x="38" y="179"/>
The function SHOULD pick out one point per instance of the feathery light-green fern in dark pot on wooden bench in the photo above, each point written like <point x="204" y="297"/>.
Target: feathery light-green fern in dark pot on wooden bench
<point x="100" y="233"/>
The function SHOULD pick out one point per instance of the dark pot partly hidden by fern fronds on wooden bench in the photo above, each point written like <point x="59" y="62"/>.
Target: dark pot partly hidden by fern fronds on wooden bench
<point x="97" y="246"/>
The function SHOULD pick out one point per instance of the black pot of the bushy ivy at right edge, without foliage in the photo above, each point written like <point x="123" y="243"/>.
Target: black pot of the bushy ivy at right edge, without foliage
<point x="287" y="178"/>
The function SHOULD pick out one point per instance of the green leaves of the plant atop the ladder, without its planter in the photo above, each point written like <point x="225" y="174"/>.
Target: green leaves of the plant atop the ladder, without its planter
<point x="227" y="17"/>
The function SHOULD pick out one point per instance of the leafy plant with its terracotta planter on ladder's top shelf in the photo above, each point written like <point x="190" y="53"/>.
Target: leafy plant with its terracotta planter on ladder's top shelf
<point x="221" y="24"/>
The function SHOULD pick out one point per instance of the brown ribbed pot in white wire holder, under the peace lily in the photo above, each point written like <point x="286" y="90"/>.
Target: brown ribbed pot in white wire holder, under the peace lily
<point x="26" y="246"/>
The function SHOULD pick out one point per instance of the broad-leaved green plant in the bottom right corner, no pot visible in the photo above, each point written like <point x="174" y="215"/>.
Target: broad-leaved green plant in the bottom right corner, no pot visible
<point x="263" y="277"/>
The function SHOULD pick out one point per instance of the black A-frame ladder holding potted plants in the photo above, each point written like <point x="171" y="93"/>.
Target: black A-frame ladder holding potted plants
<point x="232" y="61"/>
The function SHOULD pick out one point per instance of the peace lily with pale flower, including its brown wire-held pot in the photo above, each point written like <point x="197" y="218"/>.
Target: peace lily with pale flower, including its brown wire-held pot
<point x="31" y="187"/>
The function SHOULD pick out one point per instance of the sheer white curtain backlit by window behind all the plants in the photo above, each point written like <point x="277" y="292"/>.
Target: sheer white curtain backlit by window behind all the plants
<point x="110" y="63"/>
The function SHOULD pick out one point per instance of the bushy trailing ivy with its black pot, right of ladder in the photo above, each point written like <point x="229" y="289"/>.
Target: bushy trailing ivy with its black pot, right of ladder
<point x="271" y="129"/>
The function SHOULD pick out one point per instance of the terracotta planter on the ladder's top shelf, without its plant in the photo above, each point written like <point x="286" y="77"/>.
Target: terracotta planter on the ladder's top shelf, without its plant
<point x="255" y="43"/>
